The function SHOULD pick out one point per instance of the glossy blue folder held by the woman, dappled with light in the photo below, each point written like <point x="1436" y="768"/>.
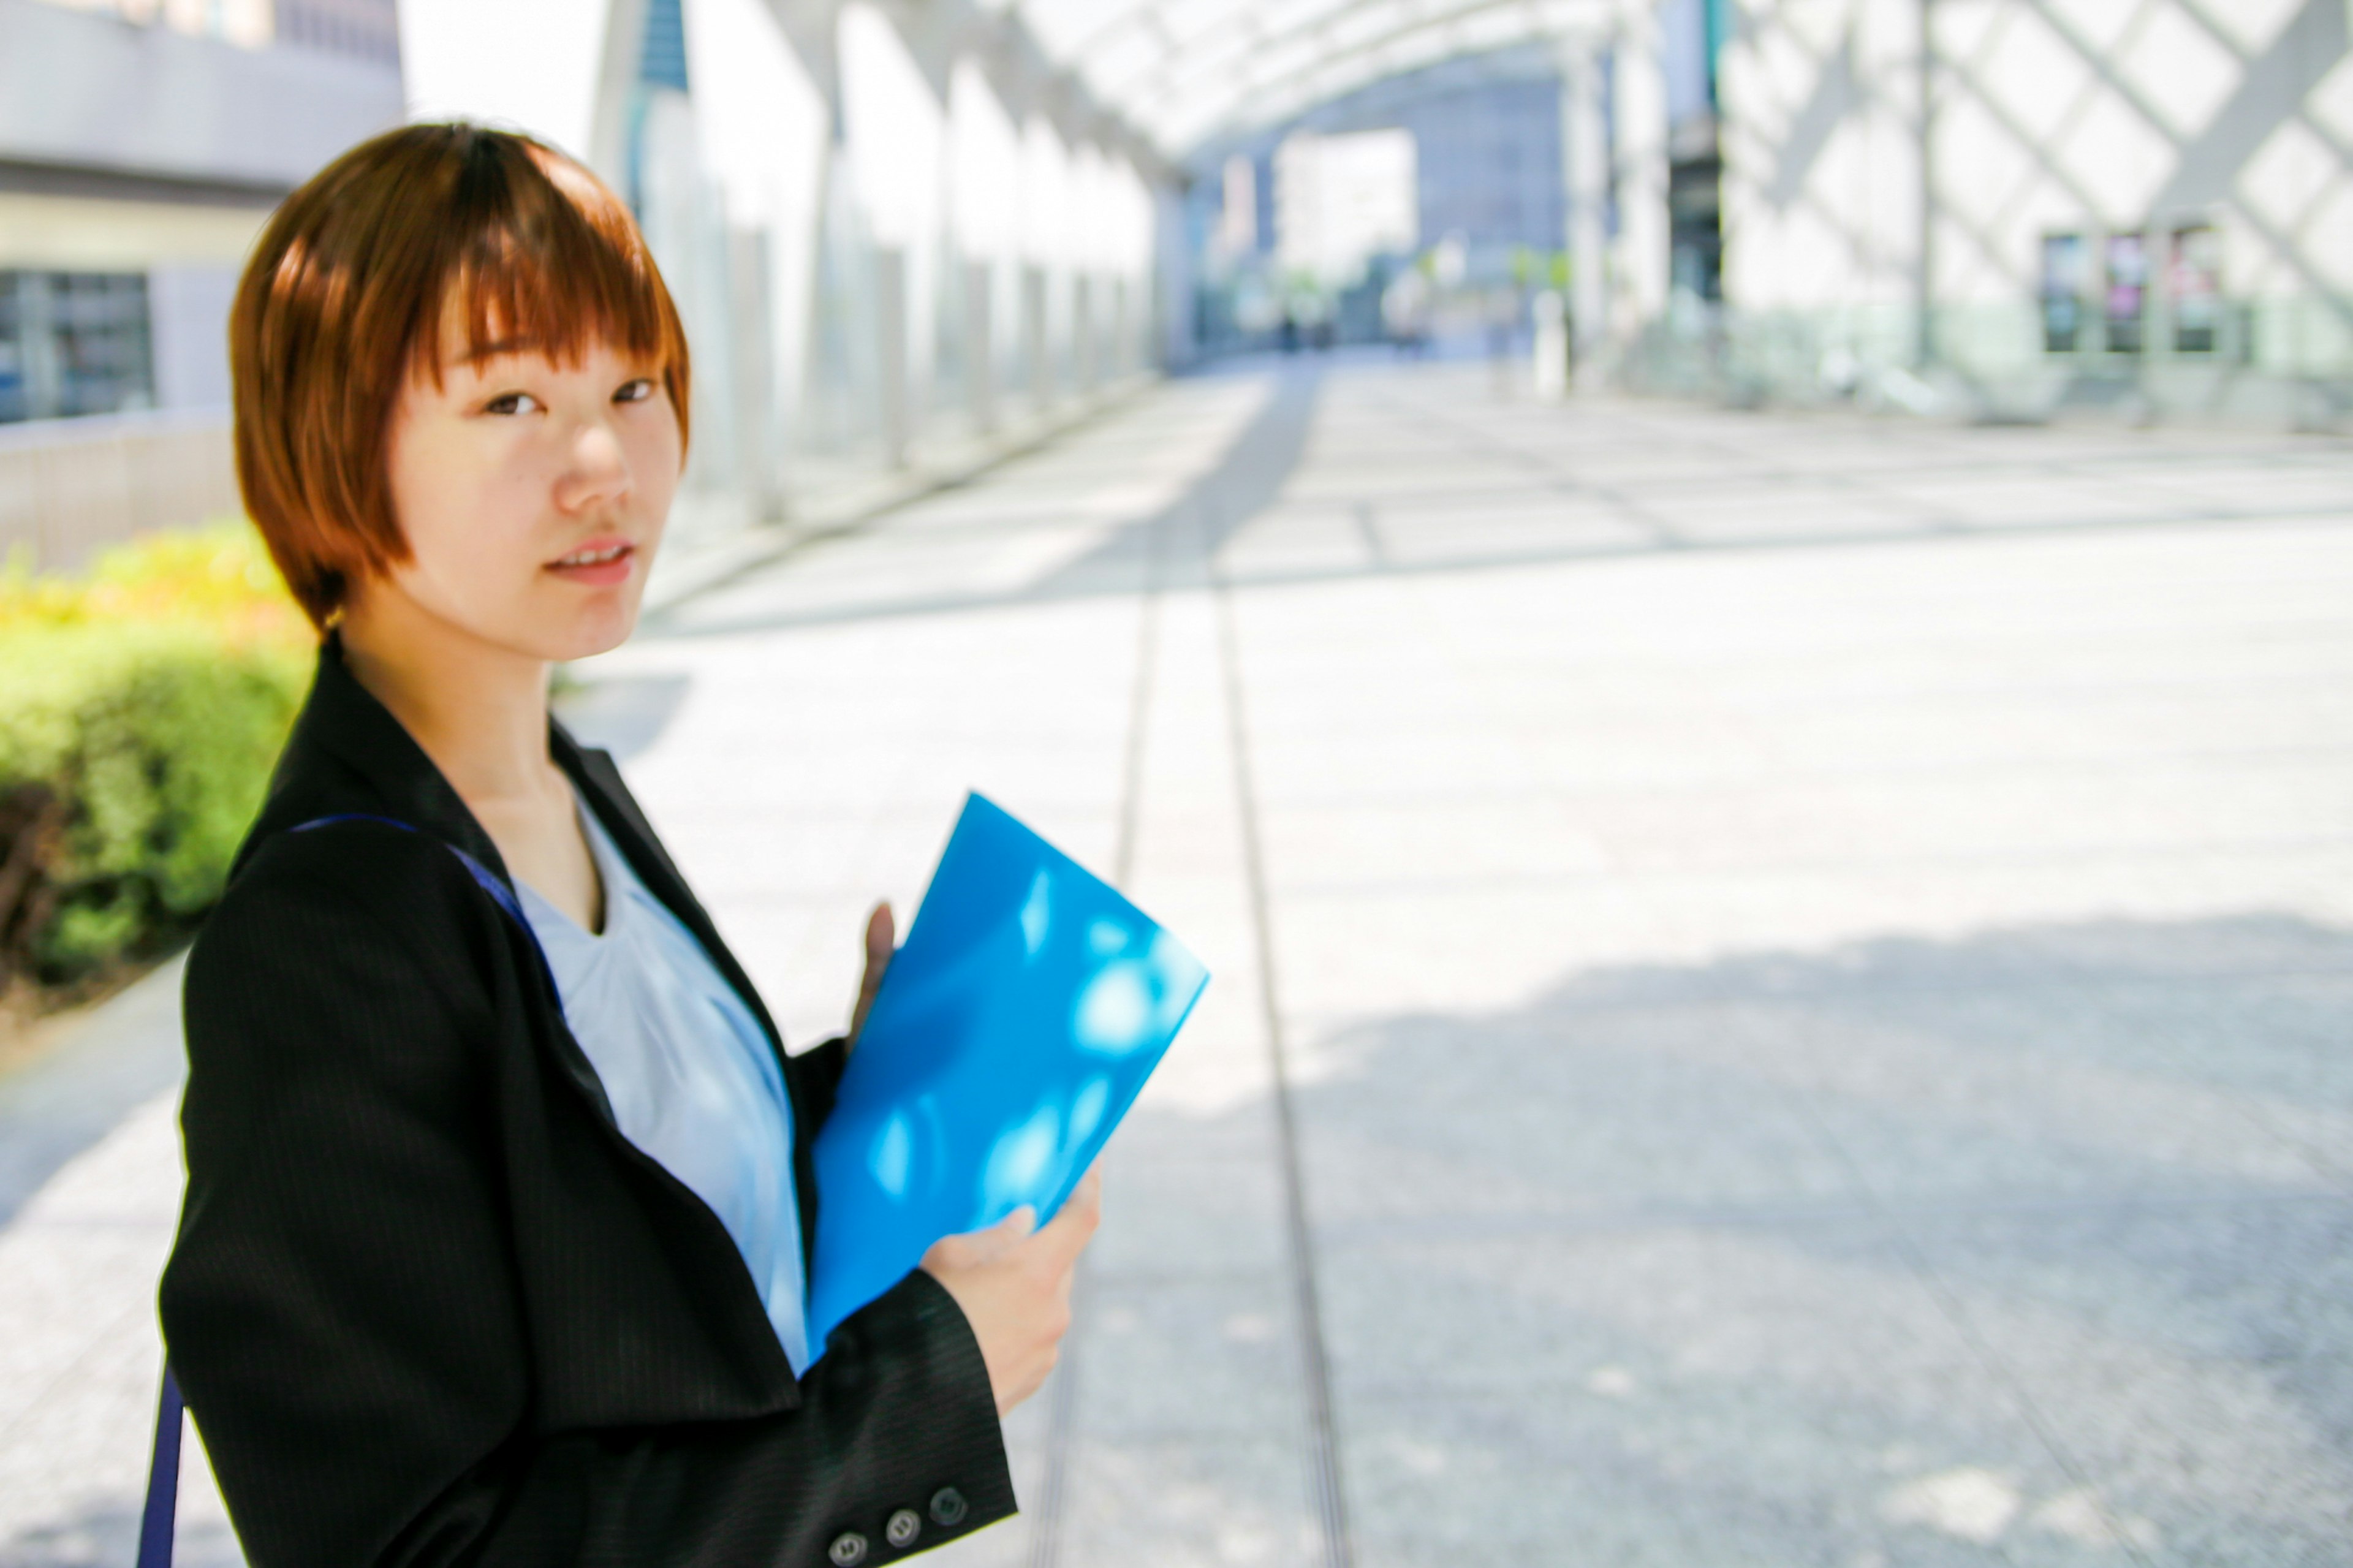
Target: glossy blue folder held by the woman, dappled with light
<point x="1013" y="1030"/>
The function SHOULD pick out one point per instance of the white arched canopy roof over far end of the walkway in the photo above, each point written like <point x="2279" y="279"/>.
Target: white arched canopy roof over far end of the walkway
<point x="1194" y="72"/>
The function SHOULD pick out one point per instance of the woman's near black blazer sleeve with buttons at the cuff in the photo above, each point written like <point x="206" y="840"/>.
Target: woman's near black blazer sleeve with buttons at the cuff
<point x="345" y="1305"/>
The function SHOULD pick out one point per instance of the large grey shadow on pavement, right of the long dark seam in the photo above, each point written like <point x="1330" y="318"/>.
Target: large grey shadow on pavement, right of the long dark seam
<point x="2029" y="1247"/>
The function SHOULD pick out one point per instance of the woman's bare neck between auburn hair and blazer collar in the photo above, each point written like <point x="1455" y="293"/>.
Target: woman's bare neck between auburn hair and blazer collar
<point x="481" y="712"/>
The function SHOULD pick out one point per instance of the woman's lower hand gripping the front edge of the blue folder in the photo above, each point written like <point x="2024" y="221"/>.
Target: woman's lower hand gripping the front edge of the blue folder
<point x="1015" y="1289"/>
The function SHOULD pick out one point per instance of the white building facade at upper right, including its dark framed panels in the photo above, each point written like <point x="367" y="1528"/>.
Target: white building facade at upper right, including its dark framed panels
<point x="2032" y="206"/>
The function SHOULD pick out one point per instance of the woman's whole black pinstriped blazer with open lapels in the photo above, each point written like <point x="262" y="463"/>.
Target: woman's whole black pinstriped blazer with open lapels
<point x="429" y="1305"/>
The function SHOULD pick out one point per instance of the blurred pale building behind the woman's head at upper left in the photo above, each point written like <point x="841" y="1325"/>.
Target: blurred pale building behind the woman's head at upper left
<point x="142" y="145"/>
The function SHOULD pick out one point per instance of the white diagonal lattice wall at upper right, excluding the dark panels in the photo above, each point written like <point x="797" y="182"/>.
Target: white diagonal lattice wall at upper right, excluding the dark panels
<point x="2044" y="119"/>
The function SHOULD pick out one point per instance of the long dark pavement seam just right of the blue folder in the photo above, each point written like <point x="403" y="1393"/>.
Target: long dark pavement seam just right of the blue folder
<point x="1324" y="1437"/>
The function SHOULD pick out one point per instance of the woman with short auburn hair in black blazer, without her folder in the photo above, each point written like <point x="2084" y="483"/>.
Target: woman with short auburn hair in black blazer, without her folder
<point x="500" y="1181"/>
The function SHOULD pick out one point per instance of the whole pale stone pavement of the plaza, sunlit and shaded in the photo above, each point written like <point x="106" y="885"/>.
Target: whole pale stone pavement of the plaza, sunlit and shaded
<point x="1813" y="969"/>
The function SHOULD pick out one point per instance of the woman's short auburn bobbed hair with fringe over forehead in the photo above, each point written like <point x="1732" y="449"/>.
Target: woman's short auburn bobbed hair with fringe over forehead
<point x="345" y="300"/>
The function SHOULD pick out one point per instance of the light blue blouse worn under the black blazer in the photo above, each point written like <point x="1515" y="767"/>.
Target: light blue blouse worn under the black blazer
<point x="688" y="1072"/>
